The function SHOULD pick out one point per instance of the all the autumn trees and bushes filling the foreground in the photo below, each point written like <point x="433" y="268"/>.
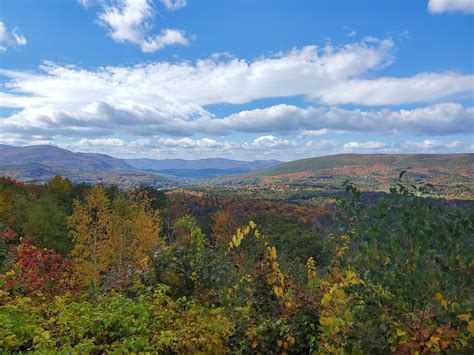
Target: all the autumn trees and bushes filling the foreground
<point x="95" y="269"/>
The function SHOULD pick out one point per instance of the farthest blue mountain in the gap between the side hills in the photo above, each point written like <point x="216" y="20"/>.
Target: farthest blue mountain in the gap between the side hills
<point x="202" y="168"/>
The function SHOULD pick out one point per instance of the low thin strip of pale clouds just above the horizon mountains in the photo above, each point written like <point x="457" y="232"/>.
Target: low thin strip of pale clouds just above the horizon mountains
<point x="263" y="147"/>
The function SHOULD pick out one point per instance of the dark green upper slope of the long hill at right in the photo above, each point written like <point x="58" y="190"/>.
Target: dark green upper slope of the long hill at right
<point x="431" y="162"/>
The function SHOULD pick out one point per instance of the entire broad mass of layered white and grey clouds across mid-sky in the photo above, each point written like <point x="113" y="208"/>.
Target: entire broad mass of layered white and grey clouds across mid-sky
<point x="172" y="99"/>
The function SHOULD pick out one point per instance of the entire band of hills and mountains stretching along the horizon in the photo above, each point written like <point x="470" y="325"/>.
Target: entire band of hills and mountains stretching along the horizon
<point x="40" y="163"/>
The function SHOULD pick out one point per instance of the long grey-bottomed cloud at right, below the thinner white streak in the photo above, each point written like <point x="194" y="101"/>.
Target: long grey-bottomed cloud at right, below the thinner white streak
<point x="440" y="119"/>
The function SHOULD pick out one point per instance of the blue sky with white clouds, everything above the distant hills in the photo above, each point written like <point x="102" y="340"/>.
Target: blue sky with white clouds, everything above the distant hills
<point x="240" y="79"/>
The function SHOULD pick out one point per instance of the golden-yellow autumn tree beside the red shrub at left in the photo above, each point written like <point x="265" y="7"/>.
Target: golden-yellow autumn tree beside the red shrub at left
<point x="113" y="242"/>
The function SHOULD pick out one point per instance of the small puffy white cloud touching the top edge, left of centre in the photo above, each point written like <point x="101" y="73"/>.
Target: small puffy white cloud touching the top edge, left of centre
<point x="130" y="21"/>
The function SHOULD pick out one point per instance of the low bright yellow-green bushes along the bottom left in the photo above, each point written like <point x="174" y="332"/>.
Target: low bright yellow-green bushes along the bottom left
<point x="114" y="323"/>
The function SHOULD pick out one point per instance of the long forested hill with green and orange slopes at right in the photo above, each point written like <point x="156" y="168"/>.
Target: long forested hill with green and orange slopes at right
<point x="452" y="174"/>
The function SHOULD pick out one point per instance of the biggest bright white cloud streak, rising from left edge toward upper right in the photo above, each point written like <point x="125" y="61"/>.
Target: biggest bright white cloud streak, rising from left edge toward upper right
<point x="177" y="85"/>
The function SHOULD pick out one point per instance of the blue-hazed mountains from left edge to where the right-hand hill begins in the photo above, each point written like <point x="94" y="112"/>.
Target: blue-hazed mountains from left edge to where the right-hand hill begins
<point x="41" y="162"/>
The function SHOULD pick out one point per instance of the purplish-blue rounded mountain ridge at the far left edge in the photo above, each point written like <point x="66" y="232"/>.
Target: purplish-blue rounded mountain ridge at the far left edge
<point x="52" y="156"/>
